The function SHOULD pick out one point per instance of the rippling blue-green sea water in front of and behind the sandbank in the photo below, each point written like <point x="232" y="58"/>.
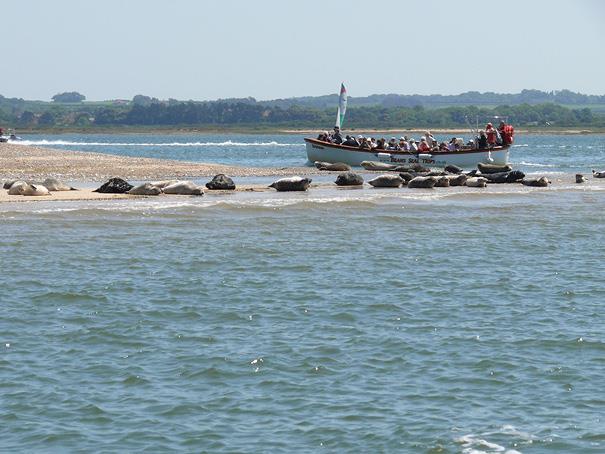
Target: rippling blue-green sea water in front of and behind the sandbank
<point x="427" y="321"/>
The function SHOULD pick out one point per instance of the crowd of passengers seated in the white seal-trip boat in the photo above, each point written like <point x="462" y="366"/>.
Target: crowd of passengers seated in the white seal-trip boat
<point x="487" y="139"/>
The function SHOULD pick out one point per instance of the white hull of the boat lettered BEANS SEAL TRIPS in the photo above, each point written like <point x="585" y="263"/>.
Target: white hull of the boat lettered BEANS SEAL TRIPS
<point x="318" y="150"/>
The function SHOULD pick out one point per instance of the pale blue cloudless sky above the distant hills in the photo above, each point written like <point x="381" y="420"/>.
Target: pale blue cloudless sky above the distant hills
<point x="267" y="49"/>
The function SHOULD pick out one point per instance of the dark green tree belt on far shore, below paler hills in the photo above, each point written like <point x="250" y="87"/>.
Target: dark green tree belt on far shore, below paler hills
<point x="223" y="113"/>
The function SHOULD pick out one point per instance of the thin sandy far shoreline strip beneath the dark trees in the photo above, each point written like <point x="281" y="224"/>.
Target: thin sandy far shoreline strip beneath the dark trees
<point x="282" y="130"/>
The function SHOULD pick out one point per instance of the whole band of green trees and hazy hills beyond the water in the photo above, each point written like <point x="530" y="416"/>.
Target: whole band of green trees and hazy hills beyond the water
<point x="146" y="112"/>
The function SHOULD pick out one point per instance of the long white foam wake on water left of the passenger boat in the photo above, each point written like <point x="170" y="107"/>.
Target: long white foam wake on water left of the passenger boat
<point x="227" y="143"/>
